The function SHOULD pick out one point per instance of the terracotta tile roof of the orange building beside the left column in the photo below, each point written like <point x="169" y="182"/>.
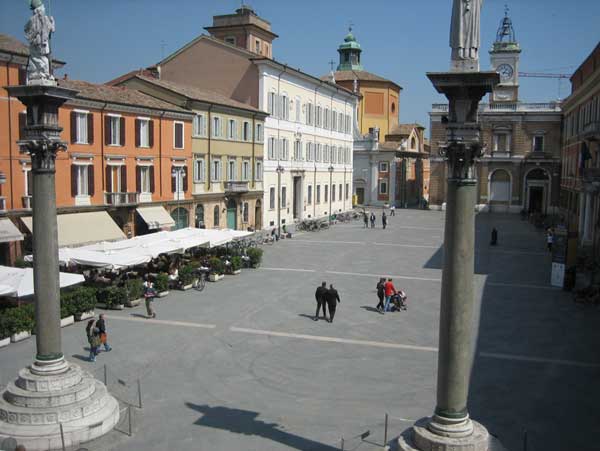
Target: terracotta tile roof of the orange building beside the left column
<point x="119" y="95"/>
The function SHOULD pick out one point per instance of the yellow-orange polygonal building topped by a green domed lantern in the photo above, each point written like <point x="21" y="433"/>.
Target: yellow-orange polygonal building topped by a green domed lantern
<point x="379" y="105"/>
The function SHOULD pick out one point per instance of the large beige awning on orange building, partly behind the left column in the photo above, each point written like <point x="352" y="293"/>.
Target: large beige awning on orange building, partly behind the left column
<point x="77" y="229"/>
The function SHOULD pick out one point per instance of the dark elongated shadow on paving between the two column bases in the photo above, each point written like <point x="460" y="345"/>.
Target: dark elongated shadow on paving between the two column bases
<point x="245" y="422"/>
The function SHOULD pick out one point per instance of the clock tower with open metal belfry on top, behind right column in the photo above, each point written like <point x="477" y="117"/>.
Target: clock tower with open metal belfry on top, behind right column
<point x="504" y="56"/>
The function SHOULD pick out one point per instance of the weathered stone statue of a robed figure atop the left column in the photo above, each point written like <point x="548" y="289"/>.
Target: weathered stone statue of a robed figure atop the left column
<point x="38" y="30"/>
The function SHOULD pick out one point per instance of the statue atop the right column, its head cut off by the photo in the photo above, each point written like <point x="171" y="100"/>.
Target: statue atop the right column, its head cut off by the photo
<point x="464" y="29"/>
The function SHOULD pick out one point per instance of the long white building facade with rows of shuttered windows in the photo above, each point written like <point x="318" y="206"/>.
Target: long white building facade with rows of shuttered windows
<point x="308" y="144"/>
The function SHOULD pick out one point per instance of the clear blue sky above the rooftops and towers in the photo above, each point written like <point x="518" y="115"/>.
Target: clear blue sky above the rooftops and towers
<point x="401" y="39"/>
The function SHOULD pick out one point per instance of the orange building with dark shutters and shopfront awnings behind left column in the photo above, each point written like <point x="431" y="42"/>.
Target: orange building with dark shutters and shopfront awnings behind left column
<point x="128" y="161"/>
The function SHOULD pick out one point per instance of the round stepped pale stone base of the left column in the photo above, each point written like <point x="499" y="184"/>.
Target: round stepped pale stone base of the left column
<point x="46" y="396"/>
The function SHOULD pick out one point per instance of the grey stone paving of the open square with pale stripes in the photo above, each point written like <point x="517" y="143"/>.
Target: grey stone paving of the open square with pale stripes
<point x="242" y="365"/>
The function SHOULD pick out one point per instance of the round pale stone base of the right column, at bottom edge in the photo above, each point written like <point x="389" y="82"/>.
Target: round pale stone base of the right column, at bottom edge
<point x="421" y="437"/>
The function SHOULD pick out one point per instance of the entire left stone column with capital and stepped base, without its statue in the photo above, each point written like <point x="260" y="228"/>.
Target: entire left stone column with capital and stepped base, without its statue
<point x="51" y="402"/>
